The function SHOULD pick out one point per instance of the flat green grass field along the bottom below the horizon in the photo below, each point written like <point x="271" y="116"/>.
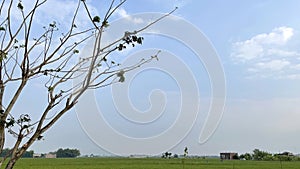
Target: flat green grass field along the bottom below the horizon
<point x="150" y="163"/>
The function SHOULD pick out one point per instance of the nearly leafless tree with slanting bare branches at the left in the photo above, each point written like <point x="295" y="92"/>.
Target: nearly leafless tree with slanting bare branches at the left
<point x="47" y="55"/>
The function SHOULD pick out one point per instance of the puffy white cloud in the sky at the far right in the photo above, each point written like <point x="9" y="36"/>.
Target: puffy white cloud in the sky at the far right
<point x="269" y="55"/>
